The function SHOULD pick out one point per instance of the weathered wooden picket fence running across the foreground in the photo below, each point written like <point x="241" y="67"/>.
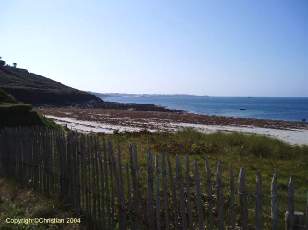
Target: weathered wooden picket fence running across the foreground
<point x="113" y="191"/>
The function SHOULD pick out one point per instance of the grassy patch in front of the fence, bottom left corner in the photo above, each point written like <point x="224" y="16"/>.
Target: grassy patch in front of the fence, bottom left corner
<point x="20" y="202"/>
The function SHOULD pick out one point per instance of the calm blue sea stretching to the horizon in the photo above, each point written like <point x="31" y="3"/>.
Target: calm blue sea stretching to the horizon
<point x="289" y="109"/>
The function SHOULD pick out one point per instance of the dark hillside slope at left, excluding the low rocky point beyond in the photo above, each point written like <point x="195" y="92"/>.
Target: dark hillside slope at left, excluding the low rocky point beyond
<point x="38" y="90"/>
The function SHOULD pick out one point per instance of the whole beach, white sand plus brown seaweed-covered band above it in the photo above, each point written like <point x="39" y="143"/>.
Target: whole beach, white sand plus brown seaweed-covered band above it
<point x="110" y="121"/>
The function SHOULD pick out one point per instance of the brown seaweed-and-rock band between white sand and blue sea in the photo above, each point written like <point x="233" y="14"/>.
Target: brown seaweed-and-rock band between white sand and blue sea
<point x="147" y="119"/>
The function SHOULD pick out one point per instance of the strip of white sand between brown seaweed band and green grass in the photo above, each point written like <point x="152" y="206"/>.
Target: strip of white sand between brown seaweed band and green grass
<point x="294" y="136"/>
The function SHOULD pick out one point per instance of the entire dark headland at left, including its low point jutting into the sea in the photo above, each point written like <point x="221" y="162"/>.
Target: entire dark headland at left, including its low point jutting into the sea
<point x="38" y="90"/>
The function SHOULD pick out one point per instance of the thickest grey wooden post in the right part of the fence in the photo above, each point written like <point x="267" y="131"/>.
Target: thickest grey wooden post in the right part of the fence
<point x="243" y="200"/>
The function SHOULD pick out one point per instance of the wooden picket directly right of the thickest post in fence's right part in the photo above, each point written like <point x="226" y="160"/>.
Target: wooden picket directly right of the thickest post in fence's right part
<point x="258" y="213"/>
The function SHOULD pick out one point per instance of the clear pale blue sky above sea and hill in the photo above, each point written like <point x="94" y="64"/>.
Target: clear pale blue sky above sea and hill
<point x="217" y="48"/>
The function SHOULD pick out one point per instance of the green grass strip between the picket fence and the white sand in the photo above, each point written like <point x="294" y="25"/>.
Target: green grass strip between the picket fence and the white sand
<point x="253" y="152"/>
